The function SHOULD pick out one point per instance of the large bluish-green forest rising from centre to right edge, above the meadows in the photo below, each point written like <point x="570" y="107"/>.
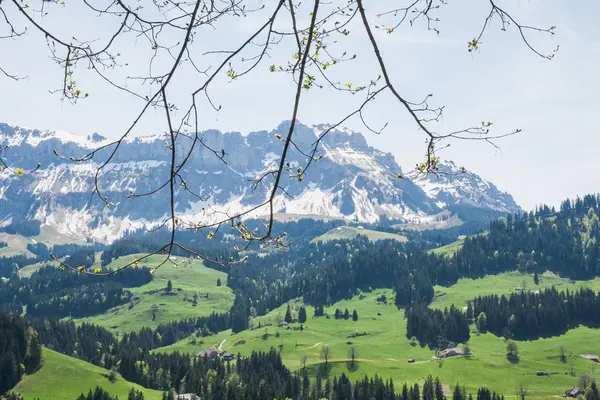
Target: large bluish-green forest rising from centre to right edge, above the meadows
<point x="323" y="273"/>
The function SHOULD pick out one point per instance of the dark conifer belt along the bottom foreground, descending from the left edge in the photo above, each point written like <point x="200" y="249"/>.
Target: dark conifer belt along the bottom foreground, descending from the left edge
<point x="260" y="375"/>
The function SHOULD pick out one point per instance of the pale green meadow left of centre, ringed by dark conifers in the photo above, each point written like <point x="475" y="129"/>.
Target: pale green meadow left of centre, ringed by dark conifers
<point x="189" y="277"/>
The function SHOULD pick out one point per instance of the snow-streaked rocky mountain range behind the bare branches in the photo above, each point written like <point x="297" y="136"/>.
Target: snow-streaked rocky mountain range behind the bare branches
<point x="352" y="181"/>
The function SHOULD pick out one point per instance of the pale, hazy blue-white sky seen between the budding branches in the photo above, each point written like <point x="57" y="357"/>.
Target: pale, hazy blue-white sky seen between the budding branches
<point x="555" y="103"/>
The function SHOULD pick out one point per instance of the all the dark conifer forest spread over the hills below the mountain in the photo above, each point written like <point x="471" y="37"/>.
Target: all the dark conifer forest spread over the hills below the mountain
<point x="323" y="273"/>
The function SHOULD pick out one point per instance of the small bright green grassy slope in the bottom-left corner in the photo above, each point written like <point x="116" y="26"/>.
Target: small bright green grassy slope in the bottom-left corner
<point x="63" y="377"/>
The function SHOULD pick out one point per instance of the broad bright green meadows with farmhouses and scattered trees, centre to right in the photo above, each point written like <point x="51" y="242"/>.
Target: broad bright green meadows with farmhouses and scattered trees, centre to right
<point x="386" y="349"/>
